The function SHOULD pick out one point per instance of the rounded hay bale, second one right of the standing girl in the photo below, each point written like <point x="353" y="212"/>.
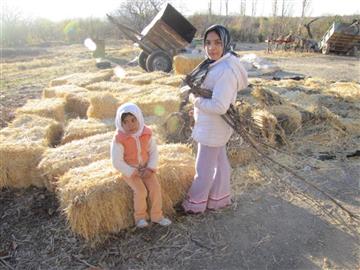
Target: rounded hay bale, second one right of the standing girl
<point x="288" y="118"/>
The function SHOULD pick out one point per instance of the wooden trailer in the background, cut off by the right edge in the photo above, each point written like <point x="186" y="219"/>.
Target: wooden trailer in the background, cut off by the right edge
<point x="341" y="38"/>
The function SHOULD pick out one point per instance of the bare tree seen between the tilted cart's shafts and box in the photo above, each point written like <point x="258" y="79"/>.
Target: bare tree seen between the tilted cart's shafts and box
<point x="138" y="13"/>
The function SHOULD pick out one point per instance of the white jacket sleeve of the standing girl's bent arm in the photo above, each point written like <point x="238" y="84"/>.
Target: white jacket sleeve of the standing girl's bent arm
<point x="223" y="94"/>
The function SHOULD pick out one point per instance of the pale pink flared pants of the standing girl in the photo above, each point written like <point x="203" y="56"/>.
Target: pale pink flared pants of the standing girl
<point x="211" y="186"/>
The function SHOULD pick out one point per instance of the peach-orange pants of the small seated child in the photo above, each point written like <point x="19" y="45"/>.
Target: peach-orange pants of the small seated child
<point x="141" y="189"/>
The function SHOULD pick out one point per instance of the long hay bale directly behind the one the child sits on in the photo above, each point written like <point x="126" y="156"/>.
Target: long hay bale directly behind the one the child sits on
<point x="56" y="161"/>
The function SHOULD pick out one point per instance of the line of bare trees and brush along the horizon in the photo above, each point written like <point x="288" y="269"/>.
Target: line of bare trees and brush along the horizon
<point x="17" y="32"/>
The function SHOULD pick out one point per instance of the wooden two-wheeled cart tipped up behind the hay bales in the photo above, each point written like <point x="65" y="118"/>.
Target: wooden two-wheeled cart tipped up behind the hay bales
<point x="167" y="34"/>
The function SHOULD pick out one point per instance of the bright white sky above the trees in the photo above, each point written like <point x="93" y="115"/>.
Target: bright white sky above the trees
<point x="57" y="10"/>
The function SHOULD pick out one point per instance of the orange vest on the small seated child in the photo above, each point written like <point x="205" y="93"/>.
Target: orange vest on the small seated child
<point x="130" y="147"/>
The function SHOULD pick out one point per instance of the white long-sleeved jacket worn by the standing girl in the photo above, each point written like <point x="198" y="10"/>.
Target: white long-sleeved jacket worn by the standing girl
<point x="226" y="76"/>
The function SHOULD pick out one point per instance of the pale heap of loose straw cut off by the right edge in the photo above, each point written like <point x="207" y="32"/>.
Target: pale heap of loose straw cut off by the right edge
<point x="348" y="91"/>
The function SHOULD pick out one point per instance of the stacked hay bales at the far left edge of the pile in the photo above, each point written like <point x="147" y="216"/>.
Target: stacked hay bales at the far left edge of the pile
<point x="21" y="148"/>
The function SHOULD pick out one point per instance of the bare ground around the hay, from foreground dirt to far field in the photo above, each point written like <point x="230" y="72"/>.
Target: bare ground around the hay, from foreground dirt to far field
<point x="267" y="226"/>
